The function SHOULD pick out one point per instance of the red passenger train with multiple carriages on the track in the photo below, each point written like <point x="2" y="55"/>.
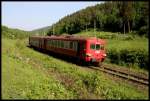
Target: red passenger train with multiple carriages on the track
<point x="83" y="49"/>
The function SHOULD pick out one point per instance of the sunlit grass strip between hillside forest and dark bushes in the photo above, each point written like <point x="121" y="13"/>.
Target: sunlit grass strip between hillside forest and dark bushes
<point x="118" y="40"/>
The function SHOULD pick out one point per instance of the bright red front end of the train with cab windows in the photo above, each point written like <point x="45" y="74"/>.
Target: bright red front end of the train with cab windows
<point x="95" y="51"/>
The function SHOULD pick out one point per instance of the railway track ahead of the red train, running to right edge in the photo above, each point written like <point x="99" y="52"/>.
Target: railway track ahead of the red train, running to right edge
<point x="125" y="75"/>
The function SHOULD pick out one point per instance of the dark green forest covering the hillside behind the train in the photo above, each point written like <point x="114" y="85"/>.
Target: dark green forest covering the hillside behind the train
<point x="117" y="16"/>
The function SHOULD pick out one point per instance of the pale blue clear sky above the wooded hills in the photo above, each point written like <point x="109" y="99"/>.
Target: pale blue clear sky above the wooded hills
<point x="33" y="15"/>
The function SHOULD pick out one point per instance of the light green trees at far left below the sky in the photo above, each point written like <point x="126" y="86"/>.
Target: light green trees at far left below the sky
<point x="14" y="33"/>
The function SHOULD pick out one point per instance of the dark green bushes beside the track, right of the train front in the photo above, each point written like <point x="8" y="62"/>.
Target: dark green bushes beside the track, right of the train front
<point x="129" y="57"/>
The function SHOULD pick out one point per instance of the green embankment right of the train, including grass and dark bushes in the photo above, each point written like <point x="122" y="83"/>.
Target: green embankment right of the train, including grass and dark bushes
<point x="127" y="50"/>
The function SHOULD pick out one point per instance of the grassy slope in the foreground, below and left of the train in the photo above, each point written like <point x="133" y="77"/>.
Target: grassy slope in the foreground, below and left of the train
<point x="28" y="74"/>
